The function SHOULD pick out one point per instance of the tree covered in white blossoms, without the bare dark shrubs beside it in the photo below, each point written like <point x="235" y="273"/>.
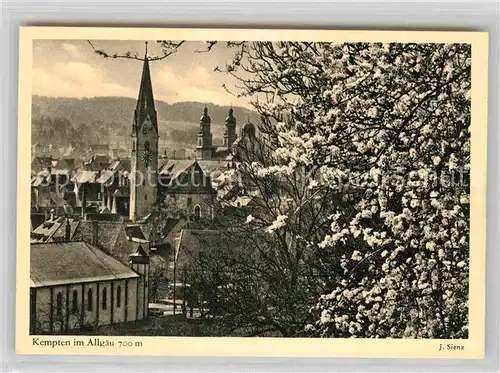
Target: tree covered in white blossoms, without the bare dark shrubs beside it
<point x="385" y="128"/>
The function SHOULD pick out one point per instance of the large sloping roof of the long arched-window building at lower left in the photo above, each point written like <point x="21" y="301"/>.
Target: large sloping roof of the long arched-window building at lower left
<point x="70" y="262"/>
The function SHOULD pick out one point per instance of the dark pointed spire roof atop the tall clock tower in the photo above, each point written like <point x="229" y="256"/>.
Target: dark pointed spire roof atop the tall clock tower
<point x="145" y="102"/>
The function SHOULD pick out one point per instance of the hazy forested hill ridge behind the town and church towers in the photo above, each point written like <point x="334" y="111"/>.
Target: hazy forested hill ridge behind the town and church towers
<point x="62" y="120"/>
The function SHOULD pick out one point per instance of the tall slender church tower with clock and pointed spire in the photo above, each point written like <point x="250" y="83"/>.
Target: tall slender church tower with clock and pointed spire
<point x="144" y="153"/>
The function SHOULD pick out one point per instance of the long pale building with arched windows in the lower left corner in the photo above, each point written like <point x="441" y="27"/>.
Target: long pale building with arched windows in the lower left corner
<point x="77" y="286"/>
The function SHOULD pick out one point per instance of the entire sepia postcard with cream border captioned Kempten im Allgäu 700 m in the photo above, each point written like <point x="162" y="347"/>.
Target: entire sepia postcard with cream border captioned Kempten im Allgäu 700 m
<point x="214" y="192"/>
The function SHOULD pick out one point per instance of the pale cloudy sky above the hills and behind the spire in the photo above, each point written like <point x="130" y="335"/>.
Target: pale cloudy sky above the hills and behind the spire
<point x="71" y="68"/>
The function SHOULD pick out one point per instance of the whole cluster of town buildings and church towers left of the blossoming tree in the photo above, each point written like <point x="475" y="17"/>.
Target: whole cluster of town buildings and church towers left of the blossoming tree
<point x="101" y="229"/>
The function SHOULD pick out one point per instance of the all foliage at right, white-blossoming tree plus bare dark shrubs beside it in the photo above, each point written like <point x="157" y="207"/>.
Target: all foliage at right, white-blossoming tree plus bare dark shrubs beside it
<point x="360" y="189"/>
